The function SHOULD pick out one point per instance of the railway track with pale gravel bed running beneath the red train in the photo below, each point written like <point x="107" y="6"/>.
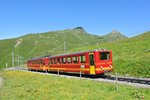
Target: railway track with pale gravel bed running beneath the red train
<point x="115" y="79"/>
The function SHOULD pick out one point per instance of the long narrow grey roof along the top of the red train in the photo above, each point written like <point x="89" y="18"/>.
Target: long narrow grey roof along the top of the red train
<point x="41" y="57"/>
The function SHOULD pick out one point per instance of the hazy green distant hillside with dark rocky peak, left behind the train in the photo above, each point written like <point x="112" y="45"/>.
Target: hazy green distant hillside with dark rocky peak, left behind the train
<point x="41" y="44"/>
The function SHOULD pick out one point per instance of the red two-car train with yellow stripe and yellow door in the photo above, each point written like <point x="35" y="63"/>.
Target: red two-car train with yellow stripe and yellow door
<point x="90" y="62"/>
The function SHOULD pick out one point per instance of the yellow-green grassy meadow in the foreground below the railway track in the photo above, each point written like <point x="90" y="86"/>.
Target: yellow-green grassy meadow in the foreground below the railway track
<point x="29" y="86"/>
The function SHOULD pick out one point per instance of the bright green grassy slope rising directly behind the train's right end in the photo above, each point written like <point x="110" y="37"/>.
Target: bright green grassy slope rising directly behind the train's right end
<point x="130" y="56"/>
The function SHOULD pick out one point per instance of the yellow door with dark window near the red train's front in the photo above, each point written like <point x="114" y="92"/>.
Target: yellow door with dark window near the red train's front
<point x="92" y="65"/>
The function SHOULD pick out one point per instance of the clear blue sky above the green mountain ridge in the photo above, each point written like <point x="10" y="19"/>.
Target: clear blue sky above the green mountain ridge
<point x="20" y="17"/>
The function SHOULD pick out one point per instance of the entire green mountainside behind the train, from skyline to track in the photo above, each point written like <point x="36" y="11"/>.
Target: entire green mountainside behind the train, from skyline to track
<point x="131" y="56"/>
